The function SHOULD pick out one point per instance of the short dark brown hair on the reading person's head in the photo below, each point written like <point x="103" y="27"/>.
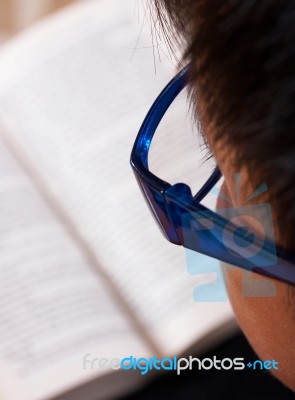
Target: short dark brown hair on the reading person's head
<point x="243" y="68"/>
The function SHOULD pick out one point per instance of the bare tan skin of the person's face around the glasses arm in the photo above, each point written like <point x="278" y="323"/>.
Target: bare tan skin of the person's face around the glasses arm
<point x="267" y="321"/>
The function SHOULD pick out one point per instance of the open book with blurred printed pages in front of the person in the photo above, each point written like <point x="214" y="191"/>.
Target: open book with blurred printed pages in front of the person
<point x="83" y="268"/>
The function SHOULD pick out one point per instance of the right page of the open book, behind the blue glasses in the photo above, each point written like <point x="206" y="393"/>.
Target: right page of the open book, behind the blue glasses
<point x="80" y="92"/>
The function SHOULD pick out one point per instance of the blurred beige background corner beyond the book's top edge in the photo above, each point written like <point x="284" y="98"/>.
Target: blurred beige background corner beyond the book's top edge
<point x="16" y="15"/>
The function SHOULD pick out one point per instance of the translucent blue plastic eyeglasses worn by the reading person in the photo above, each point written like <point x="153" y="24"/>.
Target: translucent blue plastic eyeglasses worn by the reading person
<point x="185" y="221"/>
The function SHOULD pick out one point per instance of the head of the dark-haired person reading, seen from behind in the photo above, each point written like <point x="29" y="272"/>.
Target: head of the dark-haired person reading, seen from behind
<point x="242" y="85"/>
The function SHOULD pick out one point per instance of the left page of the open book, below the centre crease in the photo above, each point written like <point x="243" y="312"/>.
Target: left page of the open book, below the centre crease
<point x="56" y="315"/>
